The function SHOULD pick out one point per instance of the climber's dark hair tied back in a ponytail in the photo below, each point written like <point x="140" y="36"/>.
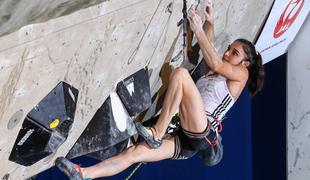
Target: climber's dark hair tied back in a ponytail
<point x="256" y="68"/>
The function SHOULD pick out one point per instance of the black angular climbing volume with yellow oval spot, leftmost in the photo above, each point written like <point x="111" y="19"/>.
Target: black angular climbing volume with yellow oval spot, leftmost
<point x="46" y="126"/>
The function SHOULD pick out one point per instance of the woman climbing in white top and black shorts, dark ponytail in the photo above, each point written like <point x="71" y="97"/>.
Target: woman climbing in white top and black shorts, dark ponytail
<point x="201" y="106"/>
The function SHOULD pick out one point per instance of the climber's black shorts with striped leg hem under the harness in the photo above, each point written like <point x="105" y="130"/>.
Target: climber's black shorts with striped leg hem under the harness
<point x="187" y="143"/>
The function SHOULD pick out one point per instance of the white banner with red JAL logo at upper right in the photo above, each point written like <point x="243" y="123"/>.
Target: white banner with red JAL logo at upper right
<point x="282" y="25"/>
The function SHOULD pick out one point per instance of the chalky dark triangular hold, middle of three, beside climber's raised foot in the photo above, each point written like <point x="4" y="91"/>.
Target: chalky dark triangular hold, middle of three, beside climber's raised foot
<point x="102" y="132"/>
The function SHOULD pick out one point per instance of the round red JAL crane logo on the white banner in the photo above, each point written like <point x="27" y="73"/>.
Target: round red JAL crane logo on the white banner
<point x="288" y="17"/>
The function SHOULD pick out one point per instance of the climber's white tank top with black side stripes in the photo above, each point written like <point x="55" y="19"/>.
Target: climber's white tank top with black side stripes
<point x="215" y="94"/>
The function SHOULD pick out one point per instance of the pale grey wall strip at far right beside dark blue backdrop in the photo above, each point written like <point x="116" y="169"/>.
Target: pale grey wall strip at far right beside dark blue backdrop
<point x="298" y="107"/>
